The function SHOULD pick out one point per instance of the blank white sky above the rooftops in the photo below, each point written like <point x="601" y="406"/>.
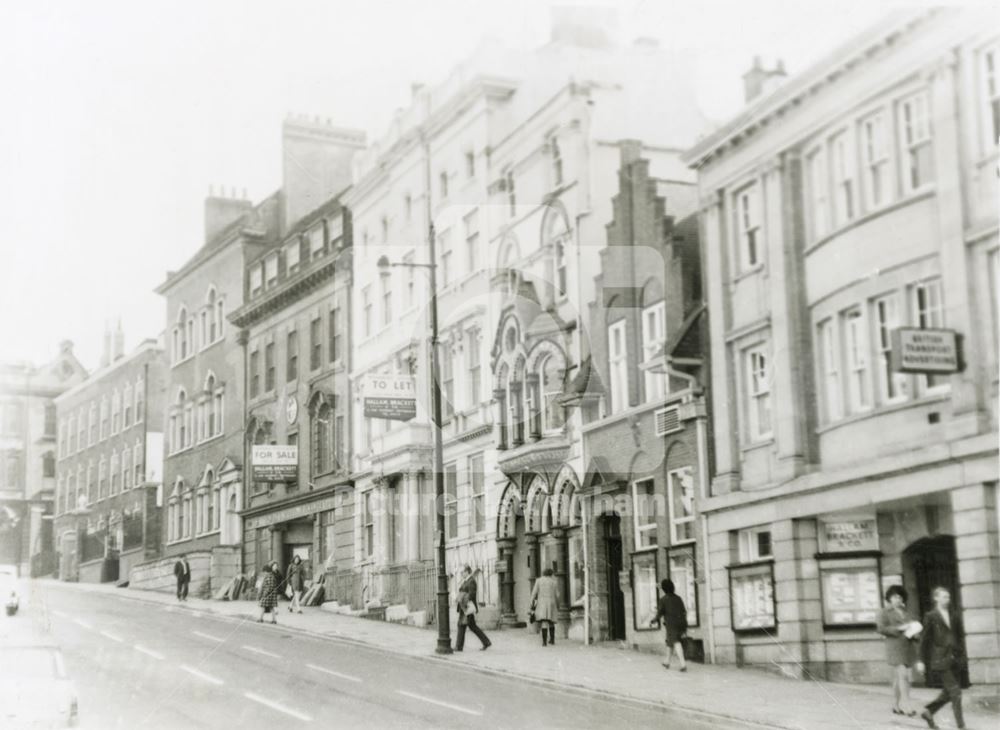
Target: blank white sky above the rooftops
<point x="118" y="115"/>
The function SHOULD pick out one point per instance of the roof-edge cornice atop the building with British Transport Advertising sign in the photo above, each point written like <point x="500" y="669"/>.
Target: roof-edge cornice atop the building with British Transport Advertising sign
<point x="825" y="71"/>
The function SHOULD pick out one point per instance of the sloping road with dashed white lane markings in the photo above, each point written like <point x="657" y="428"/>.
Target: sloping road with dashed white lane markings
<point x="143" y="665"/>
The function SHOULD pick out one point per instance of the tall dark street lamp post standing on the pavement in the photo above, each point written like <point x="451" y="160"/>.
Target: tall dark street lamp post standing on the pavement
<point x="384" y="266"/>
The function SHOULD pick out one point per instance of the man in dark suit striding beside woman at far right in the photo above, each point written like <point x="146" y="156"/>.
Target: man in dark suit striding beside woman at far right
<point x="941" y="653"/>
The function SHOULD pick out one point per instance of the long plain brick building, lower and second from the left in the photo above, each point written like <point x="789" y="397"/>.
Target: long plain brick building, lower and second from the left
<point x="108" y="476"/>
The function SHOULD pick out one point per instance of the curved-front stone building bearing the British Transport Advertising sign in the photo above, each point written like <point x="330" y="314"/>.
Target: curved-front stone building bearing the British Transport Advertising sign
<point x="865" y="219"/>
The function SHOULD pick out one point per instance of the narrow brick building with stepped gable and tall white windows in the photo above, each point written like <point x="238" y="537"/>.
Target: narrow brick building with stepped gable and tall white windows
<point x="645" y="432"/>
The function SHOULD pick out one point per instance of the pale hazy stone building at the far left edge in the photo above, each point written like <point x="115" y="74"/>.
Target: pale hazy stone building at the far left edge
<point x="28" y="455"/>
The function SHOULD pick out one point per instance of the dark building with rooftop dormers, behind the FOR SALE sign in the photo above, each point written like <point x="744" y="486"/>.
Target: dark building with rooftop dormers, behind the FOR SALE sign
<point x="296" y="337"/>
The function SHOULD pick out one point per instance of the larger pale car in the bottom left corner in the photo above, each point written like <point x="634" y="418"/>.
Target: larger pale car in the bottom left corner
<point x="35" y="691"/>
